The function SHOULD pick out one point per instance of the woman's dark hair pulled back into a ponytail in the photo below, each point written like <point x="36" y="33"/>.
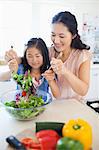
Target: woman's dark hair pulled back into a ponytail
<point x="69" y="20"/>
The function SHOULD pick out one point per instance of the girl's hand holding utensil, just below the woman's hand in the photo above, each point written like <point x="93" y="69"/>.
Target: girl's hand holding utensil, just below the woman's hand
<point x="49" y="75"/>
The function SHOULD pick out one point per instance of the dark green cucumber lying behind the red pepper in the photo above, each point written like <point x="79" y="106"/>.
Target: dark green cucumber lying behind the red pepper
<point x="57" y="126"/>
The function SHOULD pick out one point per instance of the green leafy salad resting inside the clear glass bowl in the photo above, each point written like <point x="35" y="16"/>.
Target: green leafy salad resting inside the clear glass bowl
<point x="24" y="109"/>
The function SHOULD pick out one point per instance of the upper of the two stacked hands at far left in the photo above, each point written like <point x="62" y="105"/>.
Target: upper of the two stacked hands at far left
<point x="11" y="54"/>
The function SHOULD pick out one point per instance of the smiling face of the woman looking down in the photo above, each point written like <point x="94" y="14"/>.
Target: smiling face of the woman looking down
<point x="61" y="37"/>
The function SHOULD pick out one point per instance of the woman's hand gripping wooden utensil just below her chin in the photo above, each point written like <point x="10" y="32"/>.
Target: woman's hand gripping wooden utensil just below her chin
<point x="57" y="66"/>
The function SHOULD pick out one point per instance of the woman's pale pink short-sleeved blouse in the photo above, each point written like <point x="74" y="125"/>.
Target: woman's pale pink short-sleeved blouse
<point x="75" y="59"/>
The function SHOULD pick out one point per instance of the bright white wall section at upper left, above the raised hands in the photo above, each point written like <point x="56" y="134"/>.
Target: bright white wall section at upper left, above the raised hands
<point x="15" y="24"/>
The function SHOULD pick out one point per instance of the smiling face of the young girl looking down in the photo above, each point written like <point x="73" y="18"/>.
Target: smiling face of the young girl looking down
<point x="34" y="58"/>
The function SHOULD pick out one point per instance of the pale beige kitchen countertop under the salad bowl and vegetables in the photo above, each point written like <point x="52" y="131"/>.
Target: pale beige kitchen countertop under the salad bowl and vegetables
<point x="58" y="110"/>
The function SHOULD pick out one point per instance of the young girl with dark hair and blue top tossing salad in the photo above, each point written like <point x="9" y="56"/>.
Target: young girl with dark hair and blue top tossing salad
<point x="36" y="59"/>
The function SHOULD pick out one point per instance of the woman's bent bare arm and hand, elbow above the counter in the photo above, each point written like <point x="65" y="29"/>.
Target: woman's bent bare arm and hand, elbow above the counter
<point x="79" y="84"/>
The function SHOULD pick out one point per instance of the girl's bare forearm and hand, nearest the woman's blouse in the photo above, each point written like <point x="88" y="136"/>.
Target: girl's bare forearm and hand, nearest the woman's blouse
<point x="50" y="77"/>
